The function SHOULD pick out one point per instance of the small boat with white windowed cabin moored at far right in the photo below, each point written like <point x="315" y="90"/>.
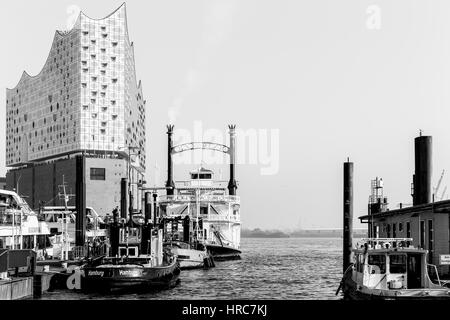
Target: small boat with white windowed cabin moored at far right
<point x="390" y="269"/>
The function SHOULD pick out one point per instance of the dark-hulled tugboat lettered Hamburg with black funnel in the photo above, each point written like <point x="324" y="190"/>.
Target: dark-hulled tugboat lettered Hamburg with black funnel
<point x="132" y="265"/>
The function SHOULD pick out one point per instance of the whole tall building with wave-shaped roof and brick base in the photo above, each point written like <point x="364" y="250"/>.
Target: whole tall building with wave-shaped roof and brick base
<point x="86" y="100"/>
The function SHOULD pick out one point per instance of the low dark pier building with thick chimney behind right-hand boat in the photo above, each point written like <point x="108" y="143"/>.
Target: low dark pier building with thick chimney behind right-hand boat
<point x="426" y="221"/>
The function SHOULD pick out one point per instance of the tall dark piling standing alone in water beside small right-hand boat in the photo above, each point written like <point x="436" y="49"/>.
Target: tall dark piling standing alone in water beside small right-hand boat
<point x="348" y="215"/>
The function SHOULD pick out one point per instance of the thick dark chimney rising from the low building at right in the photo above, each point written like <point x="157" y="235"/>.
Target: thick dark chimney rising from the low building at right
<point x="423" y="168"/>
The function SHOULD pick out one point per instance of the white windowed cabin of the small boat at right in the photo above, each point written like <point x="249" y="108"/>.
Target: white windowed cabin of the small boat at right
<point x="391" y="264"/>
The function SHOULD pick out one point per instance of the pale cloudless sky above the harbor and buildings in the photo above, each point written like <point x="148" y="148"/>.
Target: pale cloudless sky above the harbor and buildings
<point x="311" y="69"/>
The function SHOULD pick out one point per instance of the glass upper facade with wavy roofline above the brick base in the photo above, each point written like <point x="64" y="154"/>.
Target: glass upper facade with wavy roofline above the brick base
<point x="86" y="98"/>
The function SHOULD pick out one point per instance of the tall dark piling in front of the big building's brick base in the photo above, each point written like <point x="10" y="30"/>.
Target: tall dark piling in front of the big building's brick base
<point x="80" y="231"/>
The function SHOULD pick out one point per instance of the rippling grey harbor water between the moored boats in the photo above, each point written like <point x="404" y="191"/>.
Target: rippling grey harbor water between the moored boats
<point x="287" y="268"/>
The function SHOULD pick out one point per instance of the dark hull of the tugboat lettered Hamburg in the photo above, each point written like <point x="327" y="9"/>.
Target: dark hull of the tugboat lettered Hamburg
<point x="130" y="278"/>
